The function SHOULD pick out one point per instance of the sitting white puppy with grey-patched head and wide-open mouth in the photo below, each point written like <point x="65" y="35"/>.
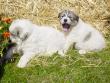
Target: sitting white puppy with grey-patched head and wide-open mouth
<point x="84" y="36"/>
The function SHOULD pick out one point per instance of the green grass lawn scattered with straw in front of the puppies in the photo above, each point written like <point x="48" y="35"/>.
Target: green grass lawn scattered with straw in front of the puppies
<point x="74" y="68"/>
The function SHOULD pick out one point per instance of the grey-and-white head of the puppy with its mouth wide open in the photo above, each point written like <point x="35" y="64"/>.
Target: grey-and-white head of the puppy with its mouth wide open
<point x="68" y="19"/>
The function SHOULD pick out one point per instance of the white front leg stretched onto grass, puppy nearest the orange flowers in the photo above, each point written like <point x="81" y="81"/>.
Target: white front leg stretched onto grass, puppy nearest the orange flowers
<point x="25" y="59"/>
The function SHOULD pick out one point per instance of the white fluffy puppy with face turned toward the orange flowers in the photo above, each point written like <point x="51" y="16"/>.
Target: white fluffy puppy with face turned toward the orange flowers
<point x="34" y="40"/>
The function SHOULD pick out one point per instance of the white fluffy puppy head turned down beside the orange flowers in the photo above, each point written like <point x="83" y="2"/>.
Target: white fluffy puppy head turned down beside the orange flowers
<point x="19" y="30"/>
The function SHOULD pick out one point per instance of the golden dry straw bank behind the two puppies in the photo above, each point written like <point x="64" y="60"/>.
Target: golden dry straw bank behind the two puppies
<point x="96" y="12"/>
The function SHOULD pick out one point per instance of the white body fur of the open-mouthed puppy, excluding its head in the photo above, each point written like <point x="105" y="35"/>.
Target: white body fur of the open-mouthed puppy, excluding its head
<point x="96" y="41"/>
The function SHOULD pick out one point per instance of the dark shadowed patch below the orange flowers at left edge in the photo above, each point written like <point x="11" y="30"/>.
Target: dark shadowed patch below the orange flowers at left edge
<point x="7" y="56"/>
